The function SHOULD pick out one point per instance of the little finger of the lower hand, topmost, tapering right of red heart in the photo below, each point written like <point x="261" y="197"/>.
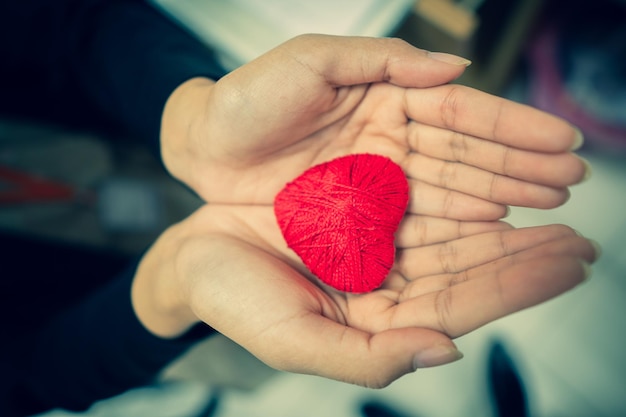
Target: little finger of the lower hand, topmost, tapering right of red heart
<point x="417" y="230"/>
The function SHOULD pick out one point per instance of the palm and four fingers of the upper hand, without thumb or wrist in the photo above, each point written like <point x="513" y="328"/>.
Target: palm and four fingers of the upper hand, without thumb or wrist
<point x="461" y="147"/>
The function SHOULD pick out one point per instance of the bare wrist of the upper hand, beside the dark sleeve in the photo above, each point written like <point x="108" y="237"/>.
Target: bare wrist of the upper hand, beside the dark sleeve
<point x="182" y="124"/>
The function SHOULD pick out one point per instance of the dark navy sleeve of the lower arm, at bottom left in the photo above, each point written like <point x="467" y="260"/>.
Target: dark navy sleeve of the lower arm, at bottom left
<point x="92" y="351"/>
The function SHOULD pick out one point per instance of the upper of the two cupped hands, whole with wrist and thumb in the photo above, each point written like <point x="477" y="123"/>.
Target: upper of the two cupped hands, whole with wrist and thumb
<point x="467" y="153"/>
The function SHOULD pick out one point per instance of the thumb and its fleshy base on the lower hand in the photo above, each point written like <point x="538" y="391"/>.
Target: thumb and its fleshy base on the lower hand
<point x="288" y="323"/>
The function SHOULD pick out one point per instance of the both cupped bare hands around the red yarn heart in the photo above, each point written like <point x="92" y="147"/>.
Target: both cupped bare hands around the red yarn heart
<point x="466" y="154"/>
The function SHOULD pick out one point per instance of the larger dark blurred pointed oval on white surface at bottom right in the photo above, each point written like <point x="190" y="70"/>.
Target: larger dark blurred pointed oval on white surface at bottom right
<point x="506" y="387"/>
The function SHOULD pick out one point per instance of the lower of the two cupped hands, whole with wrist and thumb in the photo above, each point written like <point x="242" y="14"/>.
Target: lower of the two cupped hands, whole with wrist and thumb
<point x="229" y="267"/>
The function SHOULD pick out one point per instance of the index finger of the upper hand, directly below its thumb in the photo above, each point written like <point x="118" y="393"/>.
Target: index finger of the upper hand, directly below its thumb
<point x="469" y="111"/>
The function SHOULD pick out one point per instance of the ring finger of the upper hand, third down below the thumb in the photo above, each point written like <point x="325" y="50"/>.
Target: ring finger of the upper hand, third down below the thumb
<point x="484" y="184"/>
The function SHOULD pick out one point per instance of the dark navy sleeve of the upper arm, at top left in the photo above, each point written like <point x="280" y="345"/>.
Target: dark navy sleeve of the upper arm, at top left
<point x="104" y="64"/>
